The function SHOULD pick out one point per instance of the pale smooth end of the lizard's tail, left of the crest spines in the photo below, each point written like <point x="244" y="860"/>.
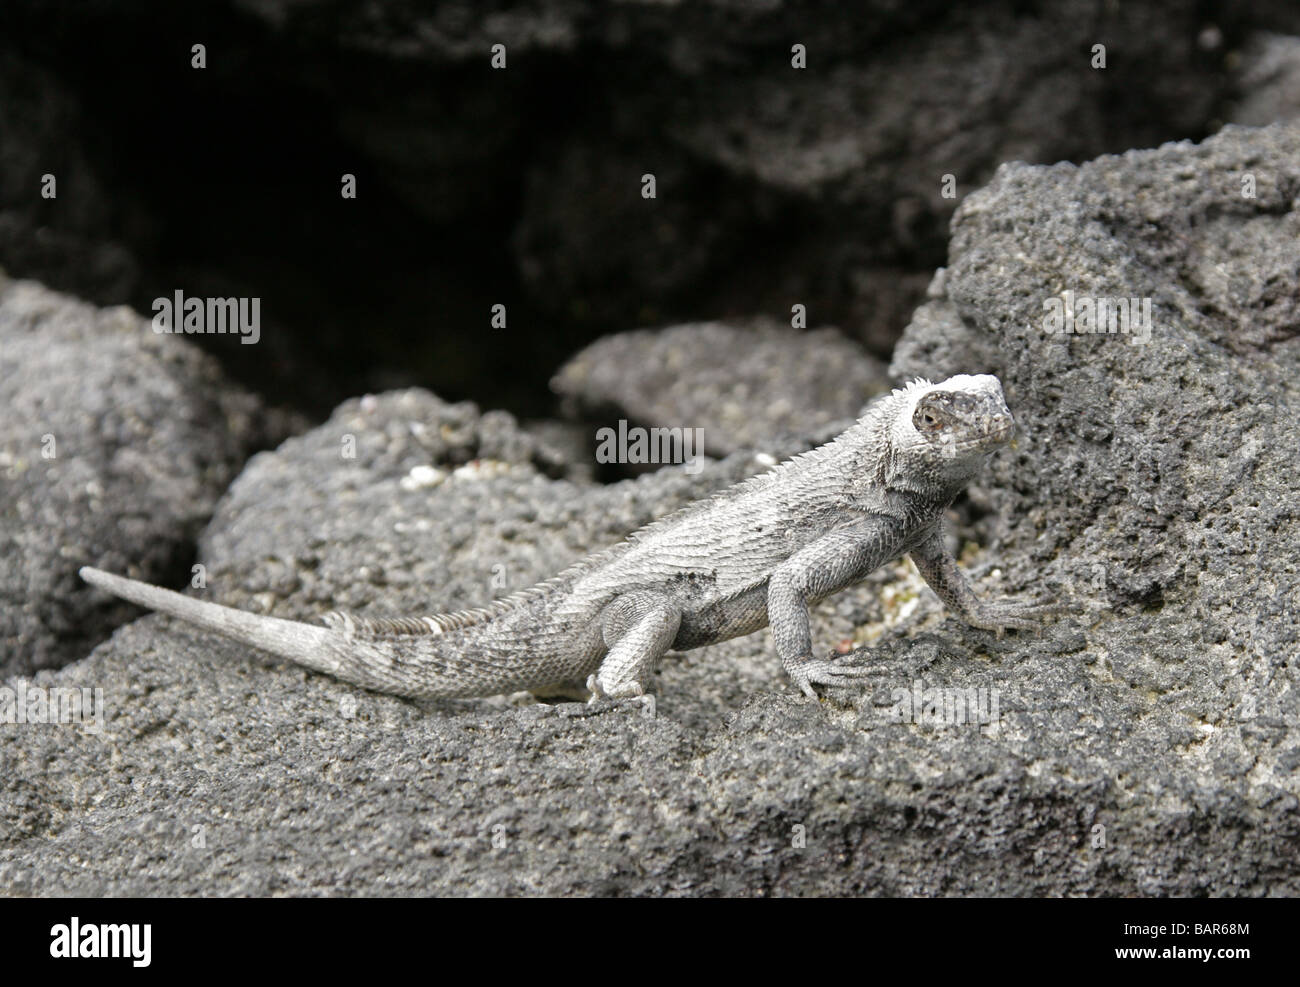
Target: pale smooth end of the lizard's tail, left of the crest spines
<point x="313" y="647"/>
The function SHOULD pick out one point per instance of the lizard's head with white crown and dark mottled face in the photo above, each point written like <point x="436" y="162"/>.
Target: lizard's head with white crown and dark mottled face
<point x="956" y="422"/>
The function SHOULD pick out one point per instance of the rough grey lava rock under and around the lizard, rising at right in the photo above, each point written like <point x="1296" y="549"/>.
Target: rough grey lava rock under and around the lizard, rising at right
<point x="1146" y="744"/>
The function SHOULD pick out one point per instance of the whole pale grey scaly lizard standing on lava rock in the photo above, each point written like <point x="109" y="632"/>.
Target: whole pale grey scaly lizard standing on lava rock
<point x="756" y="555"/>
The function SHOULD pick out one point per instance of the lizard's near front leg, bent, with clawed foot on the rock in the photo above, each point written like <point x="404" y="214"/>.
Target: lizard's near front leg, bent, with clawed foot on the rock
<point x="835" y="561"/>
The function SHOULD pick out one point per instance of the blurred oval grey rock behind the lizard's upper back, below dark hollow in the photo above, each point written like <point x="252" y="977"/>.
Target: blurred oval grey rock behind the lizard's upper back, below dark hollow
<point x="743" y="386"/>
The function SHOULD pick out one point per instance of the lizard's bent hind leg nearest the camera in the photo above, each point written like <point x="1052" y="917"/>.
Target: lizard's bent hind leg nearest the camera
<point x="639" y="629"/>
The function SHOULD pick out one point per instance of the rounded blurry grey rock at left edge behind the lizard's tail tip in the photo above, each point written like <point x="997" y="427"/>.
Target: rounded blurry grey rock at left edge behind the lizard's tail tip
<point x="115" y="447"/>
